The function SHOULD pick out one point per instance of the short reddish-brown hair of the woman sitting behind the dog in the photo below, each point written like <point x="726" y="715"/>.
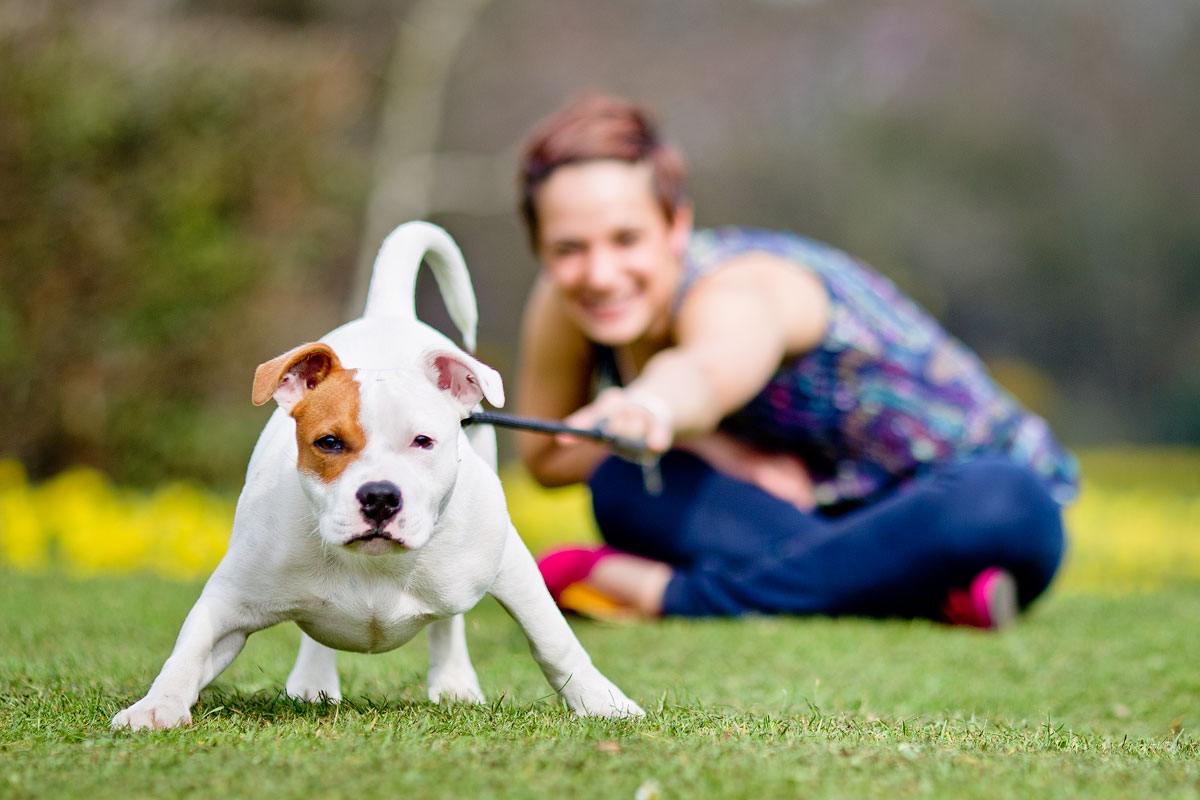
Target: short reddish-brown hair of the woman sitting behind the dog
<point x="597" y="128"/>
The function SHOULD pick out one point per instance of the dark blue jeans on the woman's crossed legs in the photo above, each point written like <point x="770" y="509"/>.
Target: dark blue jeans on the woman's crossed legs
<point x="736" y="549"/>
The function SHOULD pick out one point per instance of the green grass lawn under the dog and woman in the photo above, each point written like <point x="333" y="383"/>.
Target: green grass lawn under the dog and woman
<point x="1089" y="696"/>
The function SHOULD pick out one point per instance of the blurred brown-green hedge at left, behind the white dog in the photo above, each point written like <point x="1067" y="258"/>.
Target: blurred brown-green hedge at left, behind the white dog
<point x="159" y="206"/>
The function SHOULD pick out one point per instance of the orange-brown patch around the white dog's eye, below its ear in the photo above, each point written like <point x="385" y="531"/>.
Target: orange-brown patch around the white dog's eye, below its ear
<point x="329" y="410"/>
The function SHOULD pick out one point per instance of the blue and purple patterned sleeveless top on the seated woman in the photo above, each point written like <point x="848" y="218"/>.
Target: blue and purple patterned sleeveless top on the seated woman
<point x="889" y="394"/>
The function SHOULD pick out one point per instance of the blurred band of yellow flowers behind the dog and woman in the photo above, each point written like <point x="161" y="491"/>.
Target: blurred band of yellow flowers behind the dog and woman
<point x="1136" y="527"/>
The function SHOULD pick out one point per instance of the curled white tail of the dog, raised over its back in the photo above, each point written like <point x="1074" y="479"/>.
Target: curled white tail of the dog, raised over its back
<point x="394" y="278"/>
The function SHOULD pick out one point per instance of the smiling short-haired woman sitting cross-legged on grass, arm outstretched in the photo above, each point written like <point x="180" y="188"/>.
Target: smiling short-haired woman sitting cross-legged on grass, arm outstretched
<point x="826" y="447"/>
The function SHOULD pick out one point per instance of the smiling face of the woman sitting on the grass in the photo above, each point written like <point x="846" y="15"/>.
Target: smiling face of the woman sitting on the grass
<point x="610" y="251"/>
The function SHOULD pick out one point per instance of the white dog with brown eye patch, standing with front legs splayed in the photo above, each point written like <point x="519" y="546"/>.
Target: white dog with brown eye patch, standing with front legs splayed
<point x="369" y="514"/>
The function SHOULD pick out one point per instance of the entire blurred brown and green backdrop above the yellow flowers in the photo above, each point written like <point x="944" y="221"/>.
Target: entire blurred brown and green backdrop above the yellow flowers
<point x="190" y="188"/>
